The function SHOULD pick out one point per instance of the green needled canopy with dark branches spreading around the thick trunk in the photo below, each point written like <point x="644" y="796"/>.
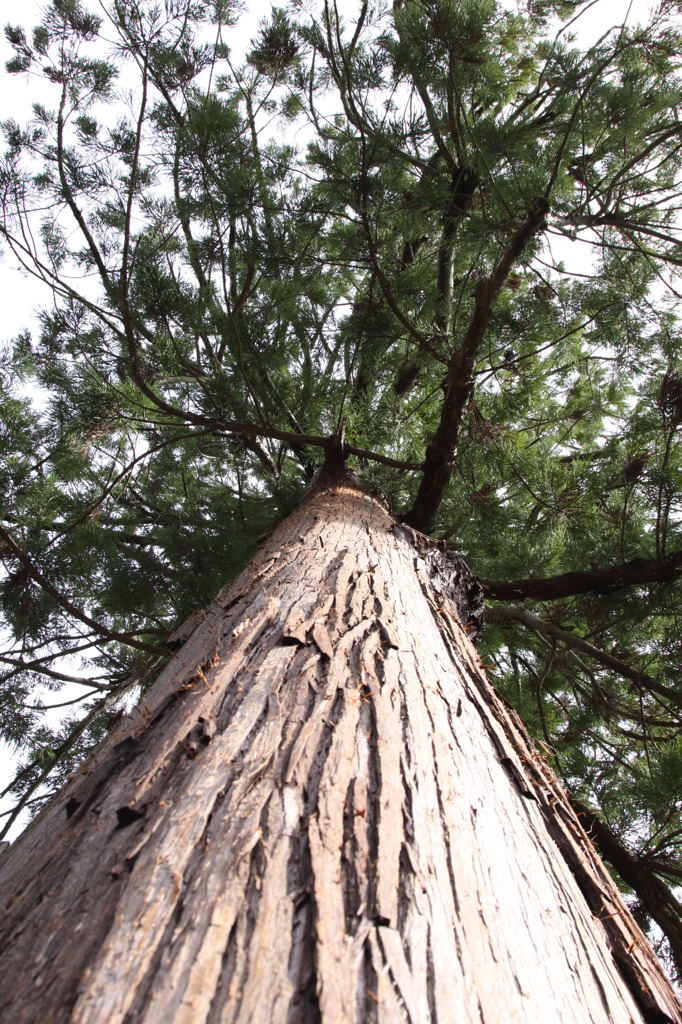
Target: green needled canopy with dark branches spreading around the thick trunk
<point x="441" y="238"/>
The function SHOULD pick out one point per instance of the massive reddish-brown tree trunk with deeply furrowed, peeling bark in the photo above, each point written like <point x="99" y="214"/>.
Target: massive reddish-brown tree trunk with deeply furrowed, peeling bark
<point x="322" y="814"/>
